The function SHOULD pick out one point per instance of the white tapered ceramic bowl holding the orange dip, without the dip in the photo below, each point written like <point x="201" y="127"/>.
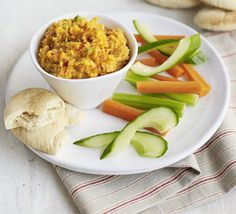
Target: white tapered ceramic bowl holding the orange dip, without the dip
<point x="85" y="93"/>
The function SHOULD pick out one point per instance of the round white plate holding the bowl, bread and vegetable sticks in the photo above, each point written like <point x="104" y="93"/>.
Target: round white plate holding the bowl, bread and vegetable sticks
<point x="196" y="127"/>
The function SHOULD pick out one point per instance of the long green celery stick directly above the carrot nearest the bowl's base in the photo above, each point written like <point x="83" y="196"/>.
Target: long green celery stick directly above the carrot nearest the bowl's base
<point x="149" y="102"/>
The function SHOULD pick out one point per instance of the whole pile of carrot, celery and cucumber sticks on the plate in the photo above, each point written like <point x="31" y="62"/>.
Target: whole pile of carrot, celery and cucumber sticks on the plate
<point x="162" y="98"/>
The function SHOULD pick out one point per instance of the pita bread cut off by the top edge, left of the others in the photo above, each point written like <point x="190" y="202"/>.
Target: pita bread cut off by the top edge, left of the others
<point x="175" y="4"/>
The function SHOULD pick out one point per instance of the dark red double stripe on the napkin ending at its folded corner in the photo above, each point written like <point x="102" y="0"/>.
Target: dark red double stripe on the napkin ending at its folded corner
<point x="147" y="193"/>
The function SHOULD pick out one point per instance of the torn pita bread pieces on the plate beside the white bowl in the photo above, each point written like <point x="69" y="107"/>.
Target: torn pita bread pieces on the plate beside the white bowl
<point x="38" y="118"/>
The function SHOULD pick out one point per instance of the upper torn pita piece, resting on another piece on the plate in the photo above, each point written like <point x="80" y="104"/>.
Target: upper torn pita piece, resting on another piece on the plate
<point x="32" y="108"/>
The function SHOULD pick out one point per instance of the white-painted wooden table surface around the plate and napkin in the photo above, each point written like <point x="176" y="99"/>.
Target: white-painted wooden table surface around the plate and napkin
<point x="29" y="184"/>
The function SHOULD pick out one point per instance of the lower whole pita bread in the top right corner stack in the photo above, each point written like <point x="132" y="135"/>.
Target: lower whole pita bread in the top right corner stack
<point x="216" y="19"/>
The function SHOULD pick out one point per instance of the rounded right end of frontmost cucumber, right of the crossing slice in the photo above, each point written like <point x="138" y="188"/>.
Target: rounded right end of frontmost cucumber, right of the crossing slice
<point x="149" y="145"/>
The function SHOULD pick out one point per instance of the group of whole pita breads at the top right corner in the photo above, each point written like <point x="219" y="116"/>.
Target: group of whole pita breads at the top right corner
<point x="215" y="15"/>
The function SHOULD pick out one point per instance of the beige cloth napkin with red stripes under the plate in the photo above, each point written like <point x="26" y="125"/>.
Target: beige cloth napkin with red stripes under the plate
<point x="197" y="179"/>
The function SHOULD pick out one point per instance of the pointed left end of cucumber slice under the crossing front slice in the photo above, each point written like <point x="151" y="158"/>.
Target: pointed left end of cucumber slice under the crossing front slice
<point x="97" y="140"/>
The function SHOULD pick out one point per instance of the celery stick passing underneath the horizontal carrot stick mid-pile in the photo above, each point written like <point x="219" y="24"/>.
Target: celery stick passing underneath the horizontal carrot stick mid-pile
<point x="189" y="99"/>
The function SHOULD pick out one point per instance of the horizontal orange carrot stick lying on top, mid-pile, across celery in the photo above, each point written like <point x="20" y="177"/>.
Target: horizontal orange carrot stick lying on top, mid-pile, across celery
<point x="168" y="87"/>
